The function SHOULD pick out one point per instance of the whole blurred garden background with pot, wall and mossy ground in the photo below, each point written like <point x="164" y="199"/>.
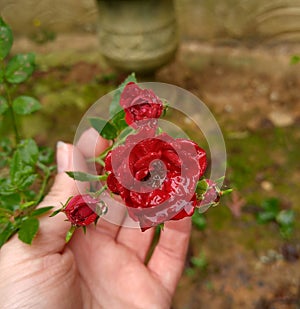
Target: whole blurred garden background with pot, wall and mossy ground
<point x="240" y="57"/>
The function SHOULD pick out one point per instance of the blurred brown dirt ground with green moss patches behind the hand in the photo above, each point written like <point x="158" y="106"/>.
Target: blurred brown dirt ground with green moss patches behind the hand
<point x="256" y="100"/>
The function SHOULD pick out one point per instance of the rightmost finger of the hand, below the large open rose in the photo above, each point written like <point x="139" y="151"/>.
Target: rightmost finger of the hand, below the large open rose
<point x="168" y="259"/>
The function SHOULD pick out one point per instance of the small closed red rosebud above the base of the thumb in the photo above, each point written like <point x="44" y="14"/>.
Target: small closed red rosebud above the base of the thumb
<point x="80" y="210"/>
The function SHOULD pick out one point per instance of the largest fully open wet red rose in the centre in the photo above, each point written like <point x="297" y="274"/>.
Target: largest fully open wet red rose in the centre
<point x="156" y="177"/>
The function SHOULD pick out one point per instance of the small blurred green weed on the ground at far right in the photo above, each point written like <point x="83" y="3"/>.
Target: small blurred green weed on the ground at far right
<point x="271" y="212"/>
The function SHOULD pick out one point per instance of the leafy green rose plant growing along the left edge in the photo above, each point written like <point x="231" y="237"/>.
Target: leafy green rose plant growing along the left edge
<point x="25" y="168"/>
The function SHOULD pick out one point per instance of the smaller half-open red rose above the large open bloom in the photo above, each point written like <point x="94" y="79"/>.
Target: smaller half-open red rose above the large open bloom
<point x="140" y="104"/>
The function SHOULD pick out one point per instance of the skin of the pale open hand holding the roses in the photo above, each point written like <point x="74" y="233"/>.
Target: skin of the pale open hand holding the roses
<point x="104" y="268"/>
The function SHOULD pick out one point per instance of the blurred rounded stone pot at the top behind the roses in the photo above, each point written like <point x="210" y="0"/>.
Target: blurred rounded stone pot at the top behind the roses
<point x="137" y="35"/>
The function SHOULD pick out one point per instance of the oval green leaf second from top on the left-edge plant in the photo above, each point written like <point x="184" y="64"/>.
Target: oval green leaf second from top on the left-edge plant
<point x="20" y="68"/>
